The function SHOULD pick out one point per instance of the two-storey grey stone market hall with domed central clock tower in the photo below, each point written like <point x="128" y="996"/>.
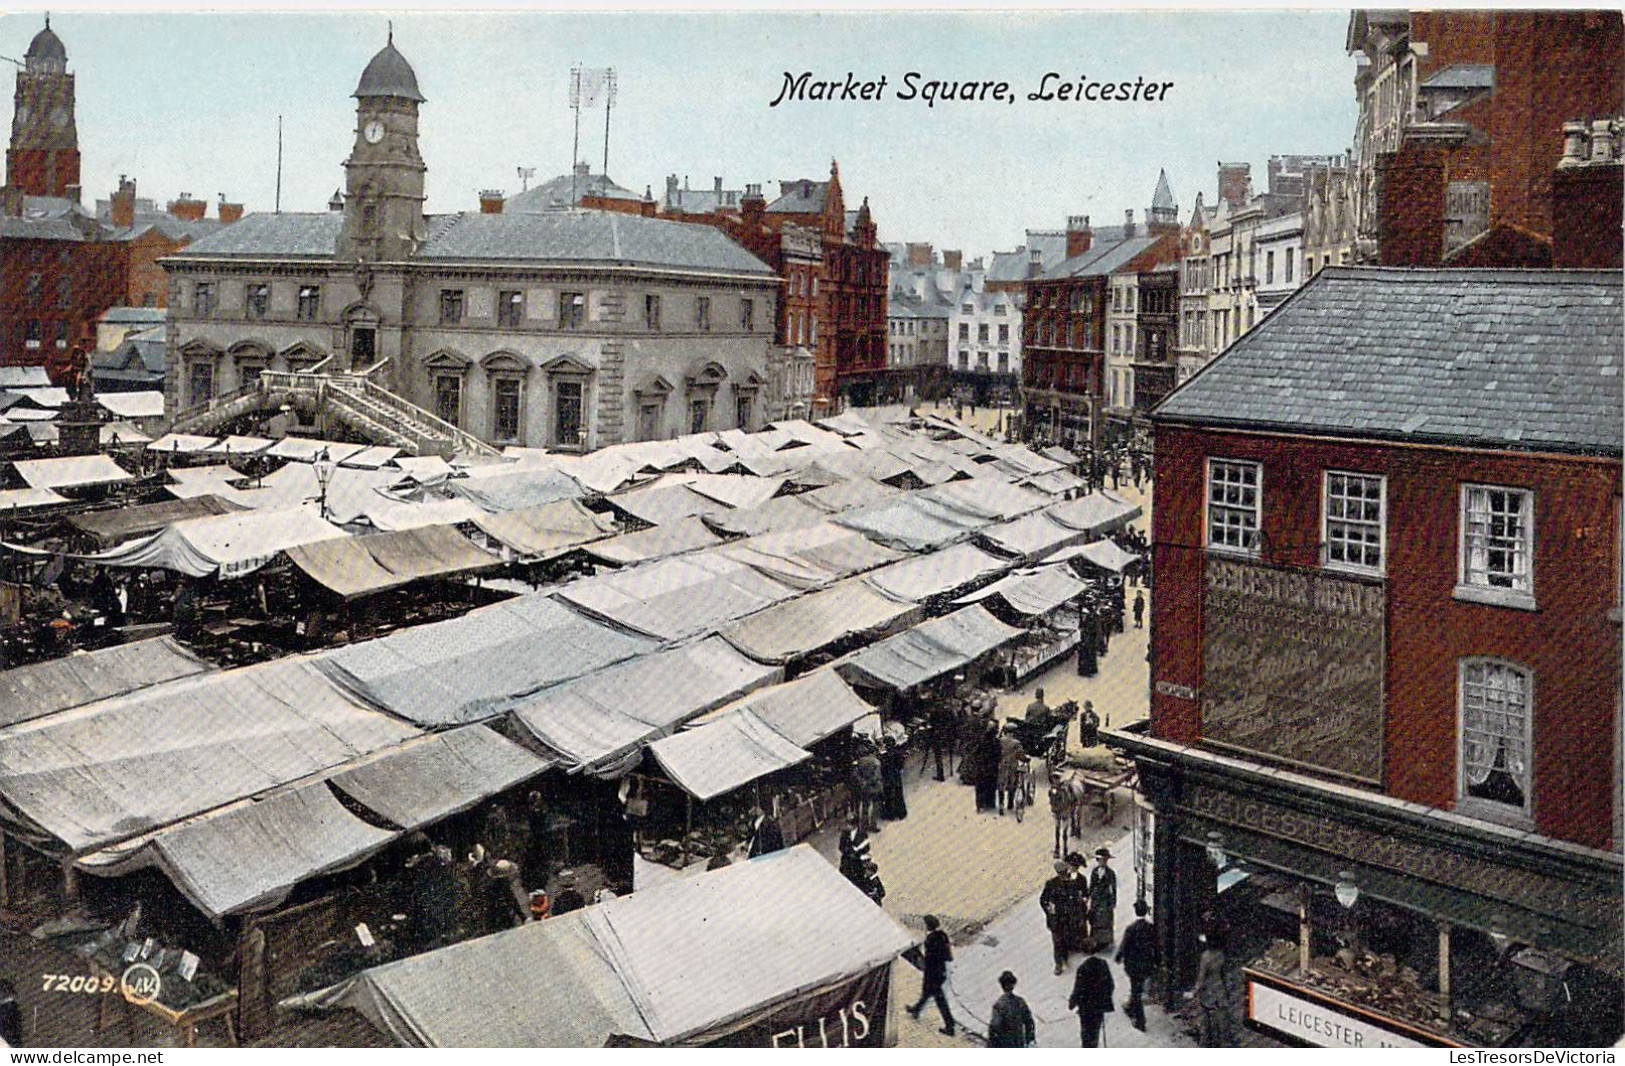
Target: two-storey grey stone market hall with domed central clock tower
<point x="568" y="329"/>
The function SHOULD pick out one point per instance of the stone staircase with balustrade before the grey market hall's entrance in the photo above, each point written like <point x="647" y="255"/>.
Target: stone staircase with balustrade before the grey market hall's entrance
<point x="352" y="399"/>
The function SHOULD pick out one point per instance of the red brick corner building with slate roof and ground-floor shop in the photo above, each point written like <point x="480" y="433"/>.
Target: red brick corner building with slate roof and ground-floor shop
<point x="1385" y="661"/>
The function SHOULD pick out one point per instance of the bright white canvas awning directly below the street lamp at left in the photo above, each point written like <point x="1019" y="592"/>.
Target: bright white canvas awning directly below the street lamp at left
<point x="227" y="545"/>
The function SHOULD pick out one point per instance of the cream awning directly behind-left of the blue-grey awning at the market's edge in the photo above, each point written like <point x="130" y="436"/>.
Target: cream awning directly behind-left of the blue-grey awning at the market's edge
<point x="810" y="623"/>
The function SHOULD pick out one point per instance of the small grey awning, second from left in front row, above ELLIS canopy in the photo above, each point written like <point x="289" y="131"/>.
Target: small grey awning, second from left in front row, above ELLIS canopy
<point x="438" y="776"/>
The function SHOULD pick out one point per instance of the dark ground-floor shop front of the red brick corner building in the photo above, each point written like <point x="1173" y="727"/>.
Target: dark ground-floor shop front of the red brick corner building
<point x="1359" y="921"/>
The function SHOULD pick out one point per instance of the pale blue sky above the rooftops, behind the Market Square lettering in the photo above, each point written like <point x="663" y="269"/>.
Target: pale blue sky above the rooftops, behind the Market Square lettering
<point x="191" y="103"/>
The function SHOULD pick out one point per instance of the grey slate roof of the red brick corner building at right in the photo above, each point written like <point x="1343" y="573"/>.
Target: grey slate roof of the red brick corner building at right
<point x="1502" y="358"/>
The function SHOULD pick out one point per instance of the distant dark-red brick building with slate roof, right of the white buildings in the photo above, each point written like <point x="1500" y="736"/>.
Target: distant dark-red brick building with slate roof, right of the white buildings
<point x="1064" y="324"/>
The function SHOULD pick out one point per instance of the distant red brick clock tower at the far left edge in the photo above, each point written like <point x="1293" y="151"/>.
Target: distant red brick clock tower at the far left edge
<point x="45" y="154"/>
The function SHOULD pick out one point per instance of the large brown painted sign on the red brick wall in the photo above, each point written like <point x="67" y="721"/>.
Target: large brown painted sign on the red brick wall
<point x="1293" y="665"/>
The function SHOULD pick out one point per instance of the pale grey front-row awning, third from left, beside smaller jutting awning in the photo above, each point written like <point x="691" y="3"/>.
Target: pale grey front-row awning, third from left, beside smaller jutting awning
<point x="602" y="719"/>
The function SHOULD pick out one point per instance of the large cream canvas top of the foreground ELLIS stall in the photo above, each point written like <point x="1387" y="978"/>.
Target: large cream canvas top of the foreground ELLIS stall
<point x="680" y="964"/>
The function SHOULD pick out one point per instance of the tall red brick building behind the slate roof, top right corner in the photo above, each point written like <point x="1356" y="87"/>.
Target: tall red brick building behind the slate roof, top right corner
<point x="1460" y="113"/>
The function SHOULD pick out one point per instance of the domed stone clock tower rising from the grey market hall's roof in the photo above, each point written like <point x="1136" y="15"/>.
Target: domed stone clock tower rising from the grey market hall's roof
<point x="384" y="175"/>
